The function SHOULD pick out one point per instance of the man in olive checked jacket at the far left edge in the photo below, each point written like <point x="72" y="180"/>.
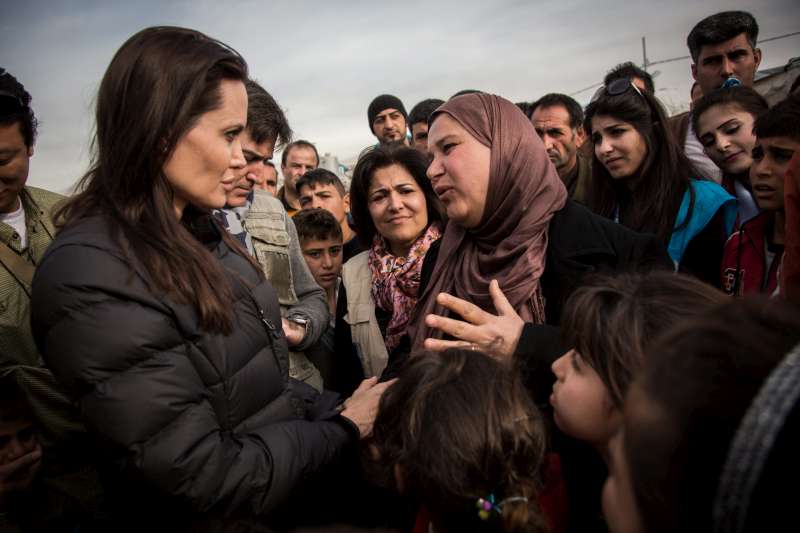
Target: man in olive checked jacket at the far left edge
<point x="26" y="230"/>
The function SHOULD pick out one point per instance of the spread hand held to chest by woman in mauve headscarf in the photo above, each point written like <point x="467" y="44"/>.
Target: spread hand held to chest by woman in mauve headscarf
<point x="494" y="335"/>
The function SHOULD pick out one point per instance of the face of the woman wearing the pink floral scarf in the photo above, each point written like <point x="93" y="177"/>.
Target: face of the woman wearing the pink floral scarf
<point x="398" y="207"/>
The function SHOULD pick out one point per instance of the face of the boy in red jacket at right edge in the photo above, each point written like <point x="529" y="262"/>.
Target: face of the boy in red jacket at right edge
<point x="771" y="156"/>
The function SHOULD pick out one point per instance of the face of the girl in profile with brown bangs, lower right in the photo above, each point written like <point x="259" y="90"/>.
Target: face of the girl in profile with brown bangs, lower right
<point x="581" y="403"/>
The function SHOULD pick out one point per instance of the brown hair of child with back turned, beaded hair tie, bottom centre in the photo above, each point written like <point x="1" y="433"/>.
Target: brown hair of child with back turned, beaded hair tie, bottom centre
<point x="460" y="426"/>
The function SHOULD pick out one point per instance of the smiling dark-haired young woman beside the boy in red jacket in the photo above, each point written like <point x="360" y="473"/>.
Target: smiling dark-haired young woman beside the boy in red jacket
<point x="723" y="122"/>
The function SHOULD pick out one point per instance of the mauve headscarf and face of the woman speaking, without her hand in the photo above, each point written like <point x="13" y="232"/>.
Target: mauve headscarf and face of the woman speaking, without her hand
<point x="500" y="195"/>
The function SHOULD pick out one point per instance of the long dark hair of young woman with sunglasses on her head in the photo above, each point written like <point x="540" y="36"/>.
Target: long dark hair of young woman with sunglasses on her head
<point x="662" y="178"/>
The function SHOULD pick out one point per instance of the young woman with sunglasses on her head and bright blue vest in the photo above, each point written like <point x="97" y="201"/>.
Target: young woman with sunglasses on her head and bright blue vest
<point x="642" y="179"/>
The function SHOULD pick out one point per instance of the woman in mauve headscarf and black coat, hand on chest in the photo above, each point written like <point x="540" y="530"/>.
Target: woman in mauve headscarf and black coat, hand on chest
<point x="510" y="221"/>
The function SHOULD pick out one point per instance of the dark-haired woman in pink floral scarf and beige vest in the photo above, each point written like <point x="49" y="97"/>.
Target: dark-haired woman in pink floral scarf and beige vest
<point x="397" y="217"/>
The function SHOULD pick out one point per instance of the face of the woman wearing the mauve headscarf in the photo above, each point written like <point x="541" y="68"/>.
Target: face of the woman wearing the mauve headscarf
<point x="459" y="171"/>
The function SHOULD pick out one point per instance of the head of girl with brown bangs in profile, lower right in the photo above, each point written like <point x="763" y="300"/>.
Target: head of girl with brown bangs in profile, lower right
<point x="610" y="324"/>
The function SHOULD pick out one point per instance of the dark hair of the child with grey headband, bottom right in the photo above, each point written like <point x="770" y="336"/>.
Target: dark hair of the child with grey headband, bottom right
<point x="685" y="407"/>
